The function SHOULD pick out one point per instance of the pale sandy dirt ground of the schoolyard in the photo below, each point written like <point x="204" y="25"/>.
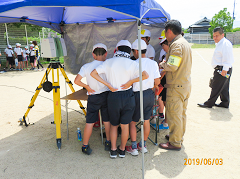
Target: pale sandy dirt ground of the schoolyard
<point x="31" y="152"/>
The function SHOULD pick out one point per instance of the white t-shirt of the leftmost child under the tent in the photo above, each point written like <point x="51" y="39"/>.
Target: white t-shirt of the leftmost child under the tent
<point x="94" y="84"/>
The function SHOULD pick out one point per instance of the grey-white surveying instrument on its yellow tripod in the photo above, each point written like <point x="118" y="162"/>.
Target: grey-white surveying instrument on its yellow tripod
<point x="53" y="47"/>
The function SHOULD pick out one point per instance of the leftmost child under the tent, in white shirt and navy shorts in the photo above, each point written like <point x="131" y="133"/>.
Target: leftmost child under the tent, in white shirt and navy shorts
<point x="97" y="97"/>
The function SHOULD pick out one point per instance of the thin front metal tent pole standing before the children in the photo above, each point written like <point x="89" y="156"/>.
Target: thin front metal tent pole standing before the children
<point x="141" y="92"/>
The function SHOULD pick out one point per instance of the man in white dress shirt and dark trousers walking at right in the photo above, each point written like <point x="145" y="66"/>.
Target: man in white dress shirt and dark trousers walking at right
<point x="222" y="63"/>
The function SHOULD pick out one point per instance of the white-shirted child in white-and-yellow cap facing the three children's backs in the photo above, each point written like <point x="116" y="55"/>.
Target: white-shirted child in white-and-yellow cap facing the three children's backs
<point x="146" y="35"/>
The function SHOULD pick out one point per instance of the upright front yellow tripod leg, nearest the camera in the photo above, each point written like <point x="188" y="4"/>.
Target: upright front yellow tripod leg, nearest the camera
<point x="57" y="107"/>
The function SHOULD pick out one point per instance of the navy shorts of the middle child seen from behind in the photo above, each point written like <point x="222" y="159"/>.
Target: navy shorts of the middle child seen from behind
<point x="121" y="105"/>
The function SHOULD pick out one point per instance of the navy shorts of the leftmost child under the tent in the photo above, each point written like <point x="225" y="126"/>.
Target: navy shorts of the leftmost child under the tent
<point x="96" y="102"/>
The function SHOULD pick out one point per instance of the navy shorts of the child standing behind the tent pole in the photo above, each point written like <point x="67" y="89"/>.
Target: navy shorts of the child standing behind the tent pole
<point x="148" y="102"/>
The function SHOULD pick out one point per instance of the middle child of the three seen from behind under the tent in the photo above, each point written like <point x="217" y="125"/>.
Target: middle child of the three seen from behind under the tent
<point x="119" y="70"/>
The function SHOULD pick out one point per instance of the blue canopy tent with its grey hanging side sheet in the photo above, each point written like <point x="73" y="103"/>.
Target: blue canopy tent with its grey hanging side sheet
<point x="86" y="22"/>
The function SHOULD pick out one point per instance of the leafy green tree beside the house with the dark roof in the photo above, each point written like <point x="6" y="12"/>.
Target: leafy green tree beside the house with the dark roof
<point x="222" y="19"/>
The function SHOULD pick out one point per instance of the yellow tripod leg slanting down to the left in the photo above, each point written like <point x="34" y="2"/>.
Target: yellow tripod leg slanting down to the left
<point x="34" y="97"/>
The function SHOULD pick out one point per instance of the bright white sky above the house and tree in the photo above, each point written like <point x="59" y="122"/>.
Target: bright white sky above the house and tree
<point x="190" y="11"/>
